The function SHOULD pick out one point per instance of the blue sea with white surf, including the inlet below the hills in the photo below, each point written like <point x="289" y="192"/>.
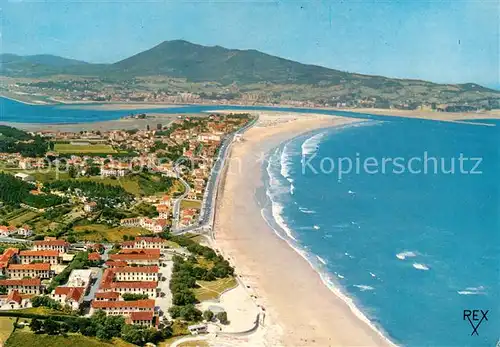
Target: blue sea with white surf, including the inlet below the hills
<point x="409" y="236"/>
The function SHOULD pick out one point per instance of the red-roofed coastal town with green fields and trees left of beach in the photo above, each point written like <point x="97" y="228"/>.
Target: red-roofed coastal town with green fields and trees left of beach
<point x="102" y="231"/>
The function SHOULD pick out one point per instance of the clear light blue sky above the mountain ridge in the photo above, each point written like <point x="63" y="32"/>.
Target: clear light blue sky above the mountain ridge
<point x="453" y="41"/>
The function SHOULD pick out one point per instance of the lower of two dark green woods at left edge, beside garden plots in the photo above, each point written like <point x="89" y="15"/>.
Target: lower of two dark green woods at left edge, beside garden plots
<point x="14" y="192"/>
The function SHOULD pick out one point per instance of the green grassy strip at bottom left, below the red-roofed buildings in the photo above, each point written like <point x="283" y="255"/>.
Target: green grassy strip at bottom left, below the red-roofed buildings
<point x="24" y="337"/>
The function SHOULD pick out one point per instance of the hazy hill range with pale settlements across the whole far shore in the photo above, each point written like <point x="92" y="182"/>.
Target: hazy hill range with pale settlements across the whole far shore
<point x="249" y="76"/>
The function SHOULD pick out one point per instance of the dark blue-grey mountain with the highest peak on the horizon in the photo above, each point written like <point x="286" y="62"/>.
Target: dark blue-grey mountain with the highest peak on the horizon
<point x="200" y="63"/>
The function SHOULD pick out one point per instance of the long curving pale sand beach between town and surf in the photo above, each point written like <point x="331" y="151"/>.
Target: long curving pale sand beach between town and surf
<point x="300" y="309"/>
